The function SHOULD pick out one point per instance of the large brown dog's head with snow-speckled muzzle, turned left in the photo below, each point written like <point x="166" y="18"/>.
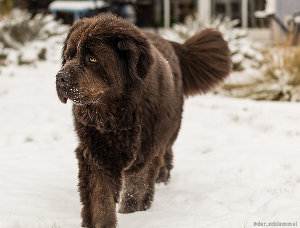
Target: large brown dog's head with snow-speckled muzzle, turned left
<point x="104" y="56"/>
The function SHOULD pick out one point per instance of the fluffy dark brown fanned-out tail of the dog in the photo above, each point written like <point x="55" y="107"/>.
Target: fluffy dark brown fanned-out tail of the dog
<point x="204" y="61"/>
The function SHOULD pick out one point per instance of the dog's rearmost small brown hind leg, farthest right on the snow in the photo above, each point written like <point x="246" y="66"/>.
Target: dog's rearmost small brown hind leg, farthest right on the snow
<point x="165" y="169"/>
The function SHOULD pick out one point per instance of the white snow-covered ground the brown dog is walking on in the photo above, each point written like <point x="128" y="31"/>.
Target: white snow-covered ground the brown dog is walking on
<point x="236" y="161"/>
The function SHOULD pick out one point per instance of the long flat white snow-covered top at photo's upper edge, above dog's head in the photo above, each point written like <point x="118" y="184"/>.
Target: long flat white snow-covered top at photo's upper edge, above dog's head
<point x="71" y="6"/>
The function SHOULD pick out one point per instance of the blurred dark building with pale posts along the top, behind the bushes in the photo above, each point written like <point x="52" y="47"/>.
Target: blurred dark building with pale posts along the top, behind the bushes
<point x="266" y="19"/>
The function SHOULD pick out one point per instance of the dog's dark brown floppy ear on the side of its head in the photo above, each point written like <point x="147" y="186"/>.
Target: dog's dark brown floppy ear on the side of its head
<point x="137" y="56"/>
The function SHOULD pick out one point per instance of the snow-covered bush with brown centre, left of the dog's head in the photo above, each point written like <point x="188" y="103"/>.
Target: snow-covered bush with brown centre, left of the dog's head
<point x="24" y="39"/>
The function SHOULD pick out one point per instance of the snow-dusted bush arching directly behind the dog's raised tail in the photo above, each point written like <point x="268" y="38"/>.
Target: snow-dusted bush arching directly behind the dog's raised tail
<point x="245" y="53"/>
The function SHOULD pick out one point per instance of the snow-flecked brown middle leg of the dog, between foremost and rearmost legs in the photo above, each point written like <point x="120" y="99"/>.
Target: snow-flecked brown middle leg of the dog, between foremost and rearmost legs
<point x="138" y="188"/>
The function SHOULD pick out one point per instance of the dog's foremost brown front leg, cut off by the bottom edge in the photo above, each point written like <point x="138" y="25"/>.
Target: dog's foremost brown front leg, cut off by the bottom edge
<point x="99" y="192"/>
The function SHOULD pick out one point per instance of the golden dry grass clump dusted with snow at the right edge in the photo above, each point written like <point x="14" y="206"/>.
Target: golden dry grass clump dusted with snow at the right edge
<point x="277" y="80"/>
